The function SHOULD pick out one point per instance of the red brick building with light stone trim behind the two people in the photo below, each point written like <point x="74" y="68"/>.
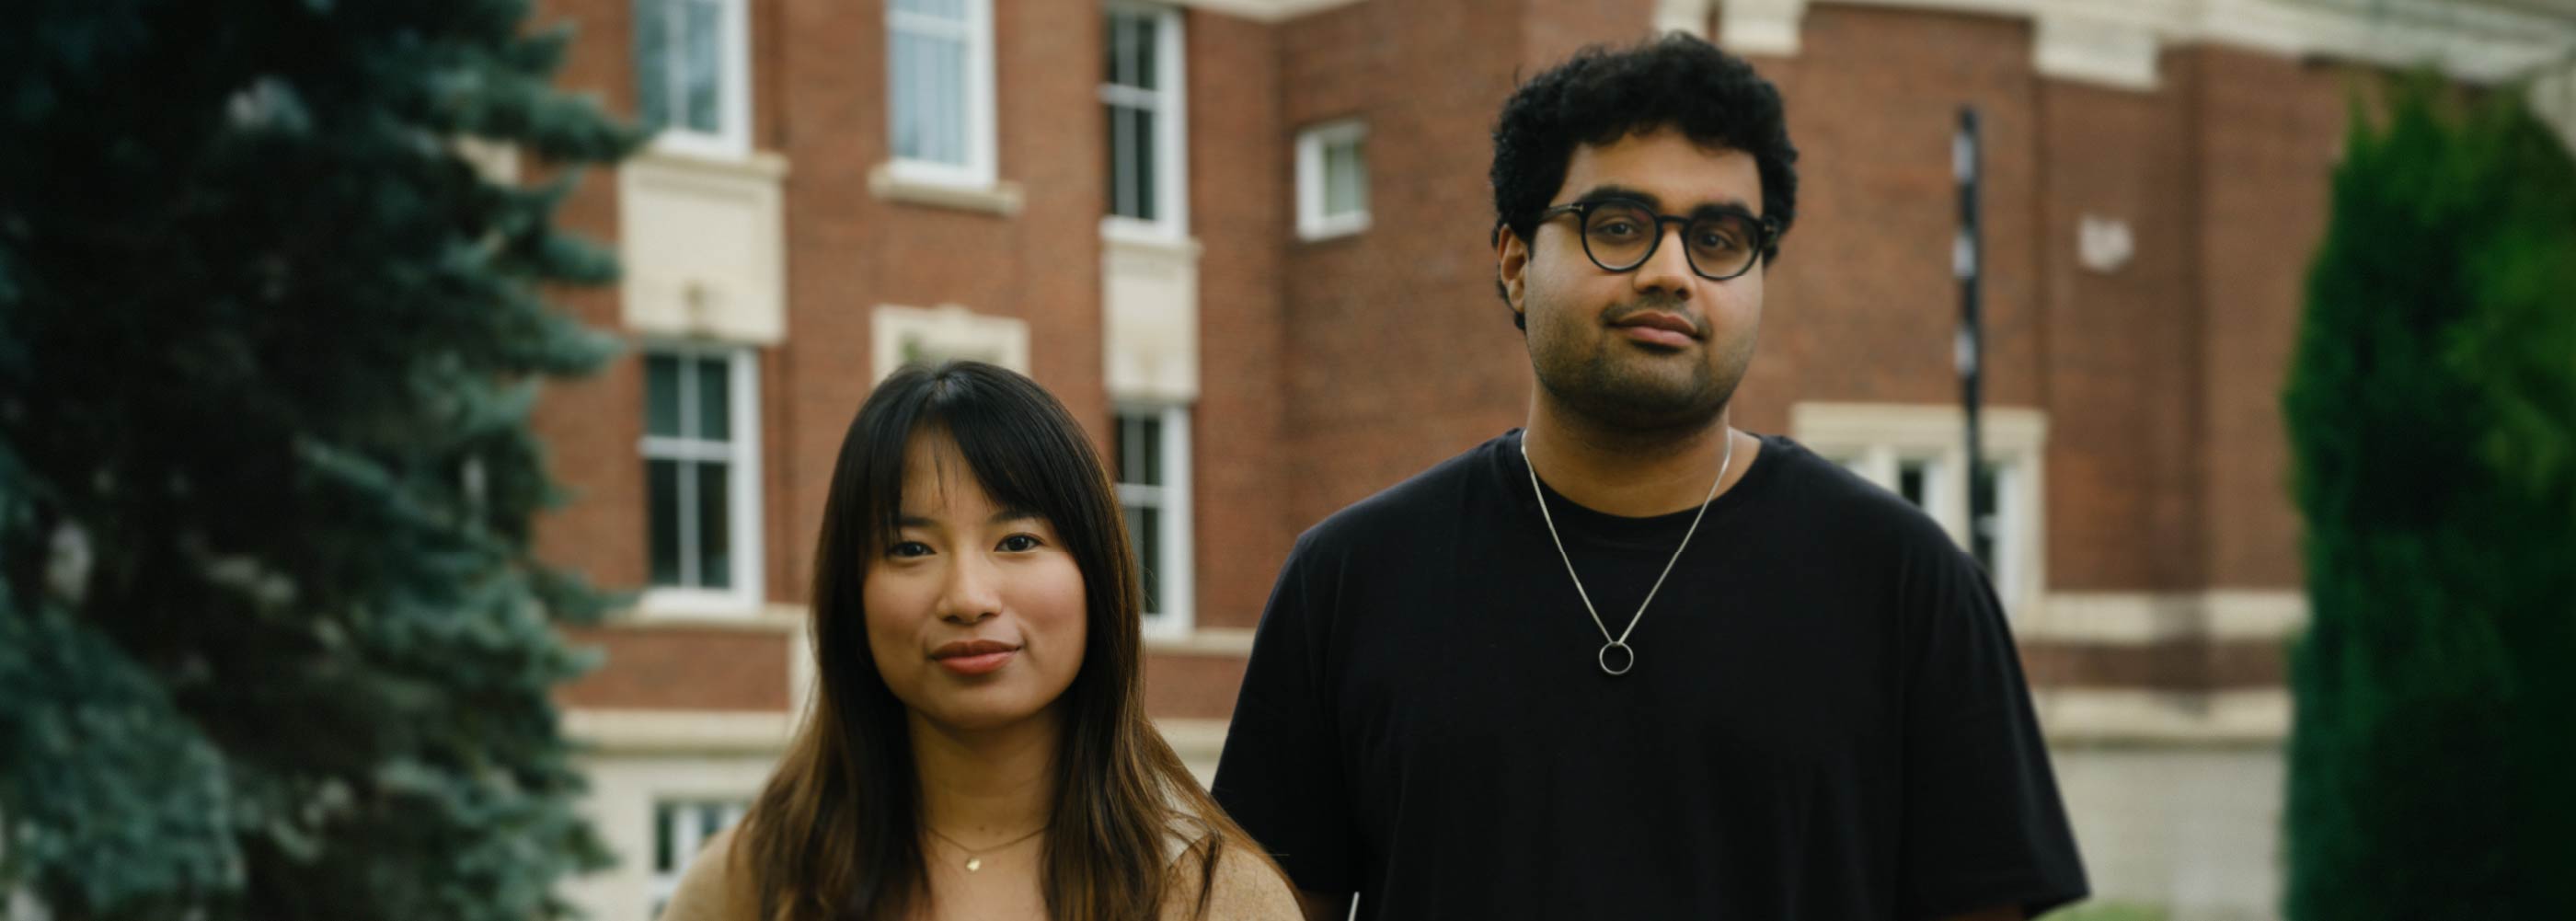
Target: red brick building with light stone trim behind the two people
<point x="1245" y="243"/>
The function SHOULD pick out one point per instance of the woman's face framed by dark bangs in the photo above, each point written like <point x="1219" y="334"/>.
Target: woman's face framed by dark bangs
<point x="975" y="614"/>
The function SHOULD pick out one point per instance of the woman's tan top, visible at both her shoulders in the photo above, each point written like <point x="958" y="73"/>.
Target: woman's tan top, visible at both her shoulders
<point x="1245" y="889"/>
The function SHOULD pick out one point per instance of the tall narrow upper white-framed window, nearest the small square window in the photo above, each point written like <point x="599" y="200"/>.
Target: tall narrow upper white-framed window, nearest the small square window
<point x="1142" y="102"/>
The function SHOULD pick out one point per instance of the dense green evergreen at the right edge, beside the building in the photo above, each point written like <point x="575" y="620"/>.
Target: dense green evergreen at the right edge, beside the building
<point x="2433" y="421"/>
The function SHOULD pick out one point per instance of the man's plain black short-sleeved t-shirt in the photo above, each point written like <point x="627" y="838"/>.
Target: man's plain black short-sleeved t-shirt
<point x="1825" y="716"/>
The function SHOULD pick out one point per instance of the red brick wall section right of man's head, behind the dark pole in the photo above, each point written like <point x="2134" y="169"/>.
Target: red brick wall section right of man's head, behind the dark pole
<point x="1864" y="302"/>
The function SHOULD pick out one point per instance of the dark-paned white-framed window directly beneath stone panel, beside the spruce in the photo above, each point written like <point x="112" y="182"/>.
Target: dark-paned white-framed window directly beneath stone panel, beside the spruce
<point x="702" y="480"/>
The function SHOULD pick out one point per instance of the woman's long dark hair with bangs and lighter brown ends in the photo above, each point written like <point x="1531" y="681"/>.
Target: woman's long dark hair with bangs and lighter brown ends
<point x="838" y="830"/>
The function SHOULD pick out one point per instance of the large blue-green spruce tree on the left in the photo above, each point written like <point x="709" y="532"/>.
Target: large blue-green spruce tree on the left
<point x="272" y="634"/>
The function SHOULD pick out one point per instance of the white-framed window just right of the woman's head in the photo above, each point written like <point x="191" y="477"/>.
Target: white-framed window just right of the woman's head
<point x="1155" y="493"/>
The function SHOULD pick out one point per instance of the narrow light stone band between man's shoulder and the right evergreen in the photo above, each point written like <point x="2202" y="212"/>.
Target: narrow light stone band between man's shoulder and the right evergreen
<point x="2142" y="619"/>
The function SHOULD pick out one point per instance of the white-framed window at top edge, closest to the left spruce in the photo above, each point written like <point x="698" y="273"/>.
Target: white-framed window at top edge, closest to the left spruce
<point x="694" y="78"/>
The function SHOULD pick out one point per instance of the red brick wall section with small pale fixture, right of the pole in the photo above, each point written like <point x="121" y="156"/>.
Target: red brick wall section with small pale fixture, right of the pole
<point x="2124" y="364"/>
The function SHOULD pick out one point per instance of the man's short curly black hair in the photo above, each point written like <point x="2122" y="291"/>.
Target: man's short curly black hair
<point x="1604" y="94"/>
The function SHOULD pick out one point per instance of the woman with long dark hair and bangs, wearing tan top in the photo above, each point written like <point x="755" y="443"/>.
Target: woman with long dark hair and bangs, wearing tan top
<point x="978" y="742"/>
